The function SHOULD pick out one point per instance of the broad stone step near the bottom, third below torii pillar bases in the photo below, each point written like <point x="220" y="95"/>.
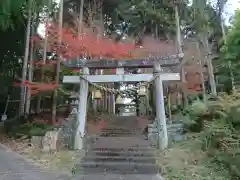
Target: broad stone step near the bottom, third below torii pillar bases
<point x="116" y="168"/>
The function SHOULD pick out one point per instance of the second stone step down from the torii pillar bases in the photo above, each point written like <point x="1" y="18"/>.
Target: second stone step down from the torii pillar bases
<point x="149" y="160"/>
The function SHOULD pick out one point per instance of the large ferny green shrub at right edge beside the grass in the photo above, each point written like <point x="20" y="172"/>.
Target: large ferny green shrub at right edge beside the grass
<point x="218" y="120"/>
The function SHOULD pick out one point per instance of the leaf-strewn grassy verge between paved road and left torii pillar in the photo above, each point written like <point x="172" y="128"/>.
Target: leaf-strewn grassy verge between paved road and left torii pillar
<point x="59" y="161"/>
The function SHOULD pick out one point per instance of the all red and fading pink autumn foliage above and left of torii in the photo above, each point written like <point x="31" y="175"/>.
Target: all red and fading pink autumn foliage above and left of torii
<point x="90" y="45"/>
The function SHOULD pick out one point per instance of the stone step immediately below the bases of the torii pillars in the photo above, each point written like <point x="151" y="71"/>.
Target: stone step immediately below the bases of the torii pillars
<point x="122" y="154"/>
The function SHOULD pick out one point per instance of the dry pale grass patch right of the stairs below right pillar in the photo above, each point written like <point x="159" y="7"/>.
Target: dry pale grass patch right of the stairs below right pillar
<point x="187" y="161"/>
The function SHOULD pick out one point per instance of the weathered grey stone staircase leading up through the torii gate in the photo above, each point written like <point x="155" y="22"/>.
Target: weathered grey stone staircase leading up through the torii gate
<point x="119" y="151"/>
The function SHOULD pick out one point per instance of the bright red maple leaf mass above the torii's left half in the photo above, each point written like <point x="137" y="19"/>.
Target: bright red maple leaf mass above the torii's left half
<point x="87" y="44"/>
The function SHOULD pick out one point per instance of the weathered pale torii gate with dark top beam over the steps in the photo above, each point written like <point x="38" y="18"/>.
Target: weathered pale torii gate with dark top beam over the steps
<point x="155" y="63"/>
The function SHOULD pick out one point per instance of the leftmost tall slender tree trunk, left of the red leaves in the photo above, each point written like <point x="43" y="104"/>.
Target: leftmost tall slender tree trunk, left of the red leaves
<point x="25" y="62"/>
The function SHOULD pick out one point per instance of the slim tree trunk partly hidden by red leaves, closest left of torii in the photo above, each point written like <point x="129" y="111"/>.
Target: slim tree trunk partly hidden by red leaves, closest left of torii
<point x="57" y="76"/>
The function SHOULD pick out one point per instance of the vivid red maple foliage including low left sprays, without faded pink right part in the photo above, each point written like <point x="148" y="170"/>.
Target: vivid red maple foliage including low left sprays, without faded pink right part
<point x="87" y="45"/>
